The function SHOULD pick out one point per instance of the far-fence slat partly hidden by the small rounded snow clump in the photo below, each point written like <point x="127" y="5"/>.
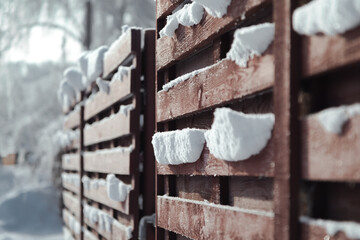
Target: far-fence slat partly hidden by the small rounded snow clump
<point x="100" y="195"/>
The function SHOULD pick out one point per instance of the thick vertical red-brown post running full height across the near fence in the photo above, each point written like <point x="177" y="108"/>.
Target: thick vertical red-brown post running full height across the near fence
<point x="286" y="129"/>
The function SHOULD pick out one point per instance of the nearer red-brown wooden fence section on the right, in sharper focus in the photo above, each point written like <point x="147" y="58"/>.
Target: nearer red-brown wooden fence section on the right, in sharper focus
<point x="303" y="170"/>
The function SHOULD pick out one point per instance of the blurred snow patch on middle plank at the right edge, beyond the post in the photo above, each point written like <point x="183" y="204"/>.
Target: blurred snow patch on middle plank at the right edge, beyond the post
<point x="333" y="119"/>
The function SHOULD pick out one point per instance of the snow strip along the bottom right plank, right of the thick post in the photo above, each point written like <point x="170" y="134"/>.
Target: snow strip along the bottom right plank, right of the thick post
<point x="351" y="229"/>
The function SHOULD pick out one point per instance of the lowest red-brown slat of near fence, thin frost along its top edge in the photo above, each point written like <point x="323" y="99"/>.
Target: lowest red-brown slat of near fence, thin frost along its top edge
<point x="200" y="220"/>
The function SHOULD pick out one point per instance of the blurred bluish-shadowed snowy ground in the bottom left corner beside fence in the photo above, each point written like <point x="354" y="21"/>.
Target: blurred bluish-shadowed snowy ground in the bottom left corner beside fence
<point x="28" y="206"/>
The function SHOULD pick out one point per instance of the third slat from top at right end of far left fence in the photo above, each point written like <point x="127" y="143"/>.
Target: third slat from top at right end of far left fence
<point x="115" y="126"/>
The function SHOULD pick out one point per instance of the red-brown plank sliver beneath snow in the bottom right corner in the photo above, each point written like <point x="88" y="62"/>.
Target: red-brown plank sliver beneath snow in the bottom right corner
<point x="313" y="232"/>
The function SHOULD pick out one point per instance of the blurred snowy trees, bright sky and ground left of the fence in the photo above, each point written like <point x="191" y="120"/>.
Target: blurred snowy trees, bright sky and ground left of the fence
<point x="39" y="39"/>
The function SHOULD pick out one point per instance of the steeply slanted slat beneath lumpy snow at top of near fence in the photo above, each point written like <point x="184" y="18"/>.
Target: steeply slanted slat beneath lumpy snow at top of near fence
<point x="171" y="49"/>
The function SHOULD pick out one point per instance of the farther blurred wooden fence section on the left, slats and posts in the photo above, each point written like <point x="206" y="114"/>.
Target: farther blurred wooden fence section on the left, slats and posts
<point x="115" y="140"/>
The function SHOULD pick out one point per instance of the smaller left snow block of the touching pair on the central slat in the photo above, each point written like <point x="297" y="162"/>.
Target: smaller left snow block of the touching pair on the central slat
<point x="178" y="147"/>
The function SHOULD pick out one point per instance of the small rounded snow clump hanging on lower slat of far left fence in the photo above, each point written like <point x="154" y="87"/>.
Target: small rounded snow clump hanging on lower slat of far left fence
<point x="116" y="189"/>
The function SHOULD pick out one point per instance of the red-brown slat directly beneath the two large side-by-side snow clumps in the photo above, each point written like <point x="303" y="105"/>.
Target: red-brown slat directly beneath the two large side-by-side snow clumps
<point x="257" y="165"/>
